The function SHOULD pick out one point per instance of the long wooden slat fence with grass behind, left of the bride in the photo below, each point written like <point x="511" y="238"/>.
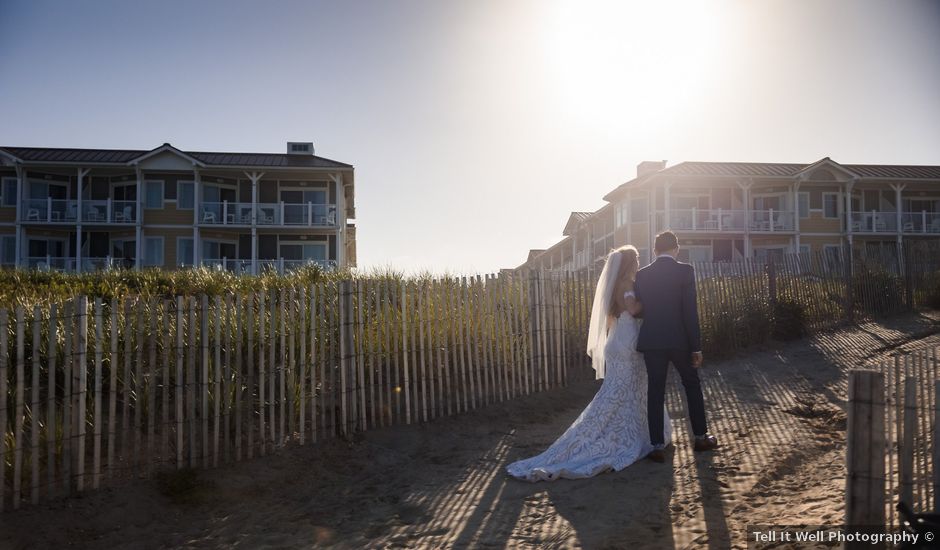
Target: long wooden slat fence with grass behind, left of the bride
<point x="94" y="391"/>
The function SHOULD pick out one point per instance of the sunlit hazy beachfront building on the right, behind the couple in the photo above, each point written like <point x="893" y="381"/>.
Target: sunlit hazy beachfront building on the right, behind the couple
<point x="723" y="211"/>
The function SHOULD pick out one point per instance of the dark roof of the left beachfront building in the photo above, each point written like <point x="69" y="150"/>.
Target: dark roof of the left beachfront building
<point x="128" y="156"/>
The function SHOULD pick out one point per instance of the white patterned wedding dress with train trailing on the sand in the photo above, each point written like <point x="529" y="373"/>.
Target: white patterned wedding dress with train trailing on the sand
<point x="612" y="431"/>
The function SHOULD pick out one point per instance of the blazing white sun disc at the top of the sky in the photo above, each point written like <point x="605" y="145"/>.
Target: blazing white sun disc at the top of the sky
<point x="636" y="63"/>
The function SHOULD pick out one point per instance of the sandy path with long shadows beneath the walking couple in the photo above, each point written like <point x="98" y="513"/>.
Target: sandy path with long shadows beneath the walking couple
<point x="777" y="412"/>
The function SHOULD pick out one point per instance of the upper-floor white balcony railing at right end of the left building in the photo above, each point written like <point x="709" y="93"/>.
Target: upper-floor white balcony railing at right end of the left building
<point x="275" y="213"/>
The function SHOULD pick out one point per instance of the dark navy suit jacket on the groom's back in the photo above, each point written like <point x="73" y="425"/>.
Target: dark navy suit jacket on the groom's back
<point x="666" y="288"/>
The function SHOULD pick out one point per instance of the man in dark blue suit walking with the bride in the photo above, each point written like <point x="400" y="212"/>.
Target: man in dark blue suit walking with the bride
<point x="670" y="334"/>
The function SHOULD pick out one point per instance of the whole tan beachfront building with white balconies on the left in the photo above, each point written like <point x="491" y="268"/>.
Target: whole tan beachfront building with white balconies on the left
<point x="88" y="209"/>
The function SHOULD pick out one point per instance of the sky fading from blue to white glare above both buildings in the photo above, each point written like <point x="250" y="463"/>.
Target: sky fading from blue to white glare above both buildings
<point x="476" y="126"/>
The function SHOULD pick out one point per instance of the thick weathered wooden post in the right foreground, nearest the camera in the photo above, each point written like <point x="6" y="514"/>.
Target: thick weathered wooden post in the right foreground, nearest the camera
<point x="865" y="481"/>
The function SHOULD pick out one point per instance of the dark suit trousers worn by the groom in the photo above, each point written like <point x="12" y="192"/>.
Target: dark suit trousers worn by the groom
<point x="657" y="365"/>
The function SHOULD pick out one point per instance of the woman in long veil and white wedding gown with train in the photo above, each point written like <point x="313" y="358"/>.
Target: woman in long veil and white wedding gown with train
<point x="612" y="431"/>
